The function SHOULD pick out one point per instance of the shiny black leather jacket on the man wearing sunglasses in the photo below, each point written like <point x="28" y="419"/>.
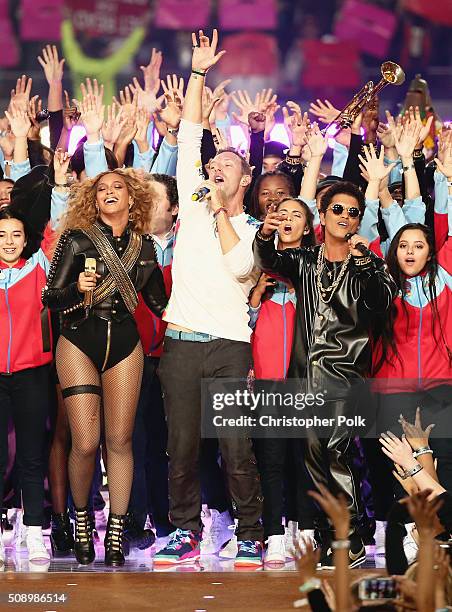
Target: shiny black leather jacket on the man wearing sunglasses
<point x="331" y="341"/>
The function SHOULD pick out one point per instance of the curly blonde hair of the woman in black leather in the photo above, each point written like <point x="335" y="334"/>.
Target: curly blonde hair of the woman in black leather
<point x="82" y="211"/>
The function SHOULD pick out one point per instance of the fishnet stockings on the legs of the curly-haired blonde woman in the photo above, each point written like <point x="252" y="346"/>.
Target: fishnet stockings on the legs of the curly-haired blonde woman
<point x="120" y="387"/>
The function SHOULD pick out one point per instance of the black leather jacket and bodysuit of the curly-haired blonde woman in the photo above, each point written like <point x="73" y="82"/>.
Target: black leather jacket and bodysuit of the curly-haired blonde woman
<point x="109" y="333"/>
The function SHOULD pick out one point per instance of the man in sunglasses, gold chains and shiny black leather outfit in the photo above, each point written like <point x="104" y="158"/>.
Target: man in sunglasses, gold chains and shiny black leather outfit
<point x="339" y="291"/>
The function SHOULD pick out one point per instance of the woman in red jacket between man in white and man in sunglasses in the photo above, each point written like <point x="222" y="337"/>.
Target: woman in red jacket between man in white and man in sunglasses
<point x="272" y="306"/>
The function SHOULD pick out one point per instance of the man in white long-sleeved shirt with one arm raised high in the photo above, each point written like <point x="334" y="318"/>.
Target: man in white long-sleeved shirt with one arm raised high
<point x="208" y="334"/>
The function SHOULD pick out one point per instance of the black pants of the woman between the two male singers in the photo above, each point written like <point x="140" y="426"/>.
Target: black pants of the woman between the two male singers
<point x="285" y="483"/>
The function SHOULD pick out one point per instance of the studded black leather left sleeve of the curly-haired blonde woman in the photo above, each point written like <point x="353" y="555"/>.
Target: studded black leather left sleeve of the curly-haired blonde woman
<point x="60" y="292"/>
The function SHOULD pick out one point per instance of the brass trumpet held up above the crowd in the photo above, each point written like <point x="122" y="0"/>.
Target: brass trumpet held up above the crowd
<point x="392" y="74"/>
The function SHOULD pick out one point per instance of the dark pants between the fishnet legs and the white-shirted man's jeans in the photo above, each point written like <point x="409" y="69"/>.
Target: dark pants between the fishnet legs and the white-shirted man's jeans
<point x="149" y="493"/>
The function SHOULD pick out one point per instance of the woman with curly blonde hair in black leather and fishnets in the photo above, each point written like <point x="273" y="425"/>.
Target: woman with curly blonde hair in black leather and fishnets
<point x="99" y="354"/>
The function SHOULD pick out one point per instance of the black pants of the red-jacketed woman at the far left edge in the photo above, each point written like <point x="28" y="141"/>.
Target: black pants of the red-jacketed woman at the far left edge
<point x="25" y="396"/>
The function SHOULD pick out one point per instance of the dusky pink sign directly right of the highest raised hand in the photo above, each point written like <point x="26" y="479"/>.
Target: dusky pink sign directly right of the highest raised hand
<point x="250" y="53"/>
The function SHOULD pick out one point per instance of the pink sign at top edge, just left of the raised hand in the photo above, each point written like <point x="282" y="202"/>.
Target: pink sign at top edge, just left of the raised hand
<point x="182" y="14"/>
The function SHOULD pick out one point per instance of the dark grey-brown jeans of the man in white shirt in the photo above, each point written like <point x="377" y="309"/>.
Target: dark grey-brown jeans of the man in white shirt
<point x="182" y="367"/>
